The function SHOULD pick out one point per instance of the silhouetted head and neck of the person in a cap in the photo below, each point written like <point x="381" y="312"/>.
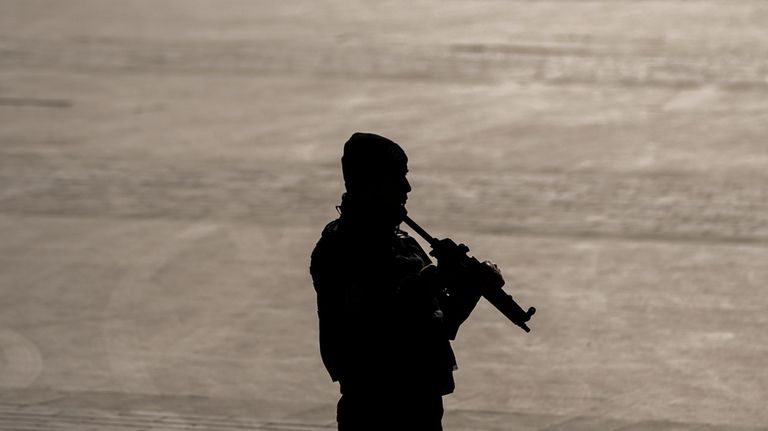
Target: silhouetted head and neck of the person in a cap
<point x="374" y="169"/>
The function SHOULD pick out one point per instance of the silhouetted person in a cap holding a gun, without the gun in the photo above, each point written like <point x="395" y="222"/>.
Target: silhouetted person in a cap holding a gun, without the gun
<point x="386" y="313"/>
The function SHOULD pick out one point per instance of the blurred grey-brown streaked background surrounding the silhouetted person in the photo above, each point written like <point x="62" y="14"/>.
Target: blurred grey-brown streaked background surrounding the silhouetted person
<point x="167" y="166"/>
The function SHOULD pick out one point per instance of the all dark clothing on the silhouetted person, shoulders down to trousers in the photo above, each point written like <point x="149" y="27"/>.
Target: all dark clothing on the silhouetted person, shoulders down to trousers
<point x="386" y="318"/>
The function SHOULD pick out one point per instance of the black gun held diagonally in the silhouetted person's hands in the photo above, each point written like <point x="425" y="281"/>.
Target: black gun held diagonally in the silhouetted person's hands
<point x="457" y="253"/>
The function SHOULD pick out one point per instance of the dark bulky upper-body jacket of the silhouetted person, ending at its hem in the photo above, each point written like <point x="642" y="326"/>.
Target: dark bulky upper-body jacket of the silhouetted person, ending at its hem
<point x="381" y="325"/>
